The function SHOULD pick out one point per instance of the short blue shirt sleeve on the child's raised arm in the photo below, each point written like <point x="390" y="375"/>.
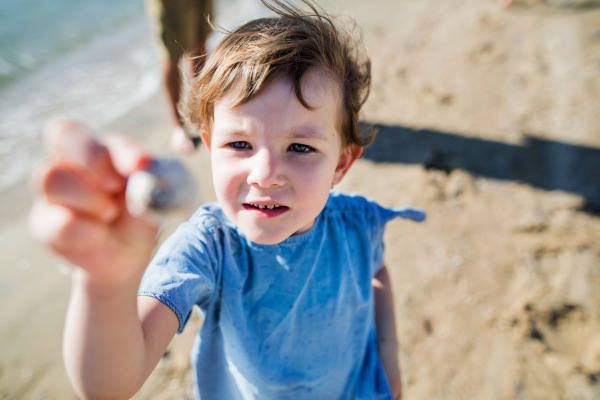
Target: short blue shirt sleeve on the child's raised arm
<point x="184" y="270"/>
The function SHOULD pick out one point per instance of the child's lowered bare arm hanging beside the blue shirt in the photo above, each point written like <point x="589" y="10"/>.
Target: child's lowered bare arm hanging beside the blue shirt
<point x="385" y="321"/>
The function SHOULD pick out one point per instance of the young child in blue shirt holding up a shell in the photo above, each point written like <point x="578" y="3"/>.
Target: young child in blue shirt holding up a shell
<point x="288" y="273"/>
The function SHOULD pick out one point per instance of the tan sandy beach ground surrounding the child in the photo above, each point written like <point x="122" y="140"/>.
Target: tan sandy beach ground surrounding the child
<point x="489" y="120"/>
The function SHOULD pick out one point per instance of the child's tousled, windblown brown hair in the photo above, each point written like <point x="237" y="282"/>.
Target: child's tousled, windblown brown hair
<point x="291" y="45"/>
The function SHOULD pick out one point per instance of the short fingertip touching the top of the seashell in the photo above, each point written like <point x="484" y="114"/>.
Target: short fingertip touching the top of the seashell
<point x="127" y="155"/>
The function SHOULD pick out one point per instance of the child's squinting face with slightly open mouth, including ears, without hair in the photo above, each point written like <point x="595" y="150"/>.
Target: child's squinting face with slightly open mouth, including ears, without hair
<point x="274" y="161"/>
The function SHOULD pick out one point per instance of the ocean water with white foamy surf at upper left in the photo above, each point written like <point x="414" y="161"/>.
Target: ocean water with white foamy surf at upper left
<point x="85" y="59"/>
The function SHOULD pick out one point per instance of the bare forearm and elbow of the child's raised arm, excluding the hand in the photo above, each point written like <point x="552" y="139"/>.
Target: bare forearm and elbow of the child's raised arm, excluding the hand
<point x="113" y="339"/>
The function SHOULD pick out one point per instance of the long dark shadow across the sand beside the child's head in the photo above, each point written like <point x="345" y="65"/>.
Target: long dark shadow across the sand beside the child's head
<point x="545" y="164"/>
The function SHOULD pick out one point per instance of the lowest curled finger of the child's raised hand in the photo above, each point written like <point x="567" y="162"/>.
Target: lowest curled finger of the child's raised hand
<point x="64" y="230"/>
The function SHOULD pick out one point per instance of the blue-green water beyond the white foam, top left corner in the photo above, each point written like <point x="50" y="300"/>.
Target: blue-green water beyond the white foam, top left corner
<point x="34" y="32"/>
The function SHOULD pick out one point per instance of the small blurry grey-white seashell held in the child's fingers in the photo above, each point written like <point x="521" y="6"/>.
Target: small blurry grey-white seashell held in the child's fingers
<point x="166" y="187"/>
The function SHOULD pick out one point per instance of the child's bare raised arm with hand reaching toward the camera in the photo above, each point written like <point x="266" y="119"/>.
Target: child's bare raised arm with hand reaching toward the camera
<point x="112" y="340"/>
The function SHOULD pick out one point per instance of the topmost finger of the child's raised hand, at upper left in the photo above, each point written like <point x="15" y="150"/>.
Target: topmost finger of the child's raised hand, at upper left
<point x="74" y="145"/>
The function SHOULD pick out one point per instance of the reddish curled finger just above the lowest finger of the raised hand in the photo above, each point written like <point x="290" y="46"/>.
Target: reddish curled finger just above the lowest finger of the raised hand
<point x="64" y="187"/>
